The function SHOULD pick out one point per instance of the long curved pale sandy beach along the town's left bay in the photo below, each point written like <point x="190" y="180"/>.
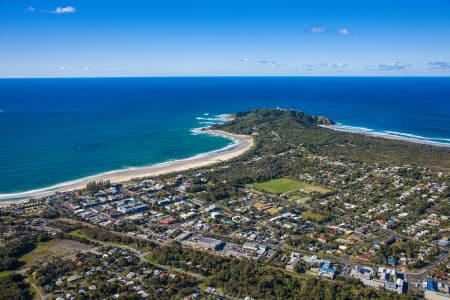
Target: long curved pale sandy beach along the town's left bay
<point x="242" y="144"/>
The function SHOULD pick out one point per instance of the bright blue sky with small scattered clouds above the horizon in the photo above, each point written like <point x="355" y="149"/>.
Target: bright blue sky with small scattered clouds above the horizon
<point x="43" y="38"/>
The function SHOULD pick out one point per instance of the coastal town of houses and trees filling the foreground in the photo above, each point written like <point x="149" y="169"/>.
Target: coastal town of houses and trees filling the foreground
<point x="310" y="216"/>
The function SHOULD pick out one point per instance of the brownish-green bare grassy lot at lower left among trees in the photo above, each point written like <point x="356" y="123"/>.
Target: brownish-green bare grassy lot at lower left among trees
<point x="53" y="248"/>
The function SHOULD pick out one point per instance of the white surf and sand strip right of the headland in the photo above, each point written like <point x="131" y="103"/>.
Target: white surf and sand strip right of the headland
<point x="384" y="135"/>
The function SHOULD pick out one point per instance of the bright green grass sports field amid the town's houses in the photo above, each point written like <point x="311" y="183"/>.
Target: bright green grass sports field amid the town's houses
<point x="286" y="185"/>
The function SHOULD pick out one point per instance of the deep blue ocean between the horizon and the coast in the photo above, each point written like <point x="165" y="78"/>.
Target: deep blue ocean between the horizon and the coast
<point x="57" y="130"/>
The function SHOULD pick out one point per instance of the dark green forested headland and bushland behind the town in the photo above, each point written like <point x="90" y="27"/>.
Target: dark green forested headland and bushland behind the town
<point x="279" y="130"/>
